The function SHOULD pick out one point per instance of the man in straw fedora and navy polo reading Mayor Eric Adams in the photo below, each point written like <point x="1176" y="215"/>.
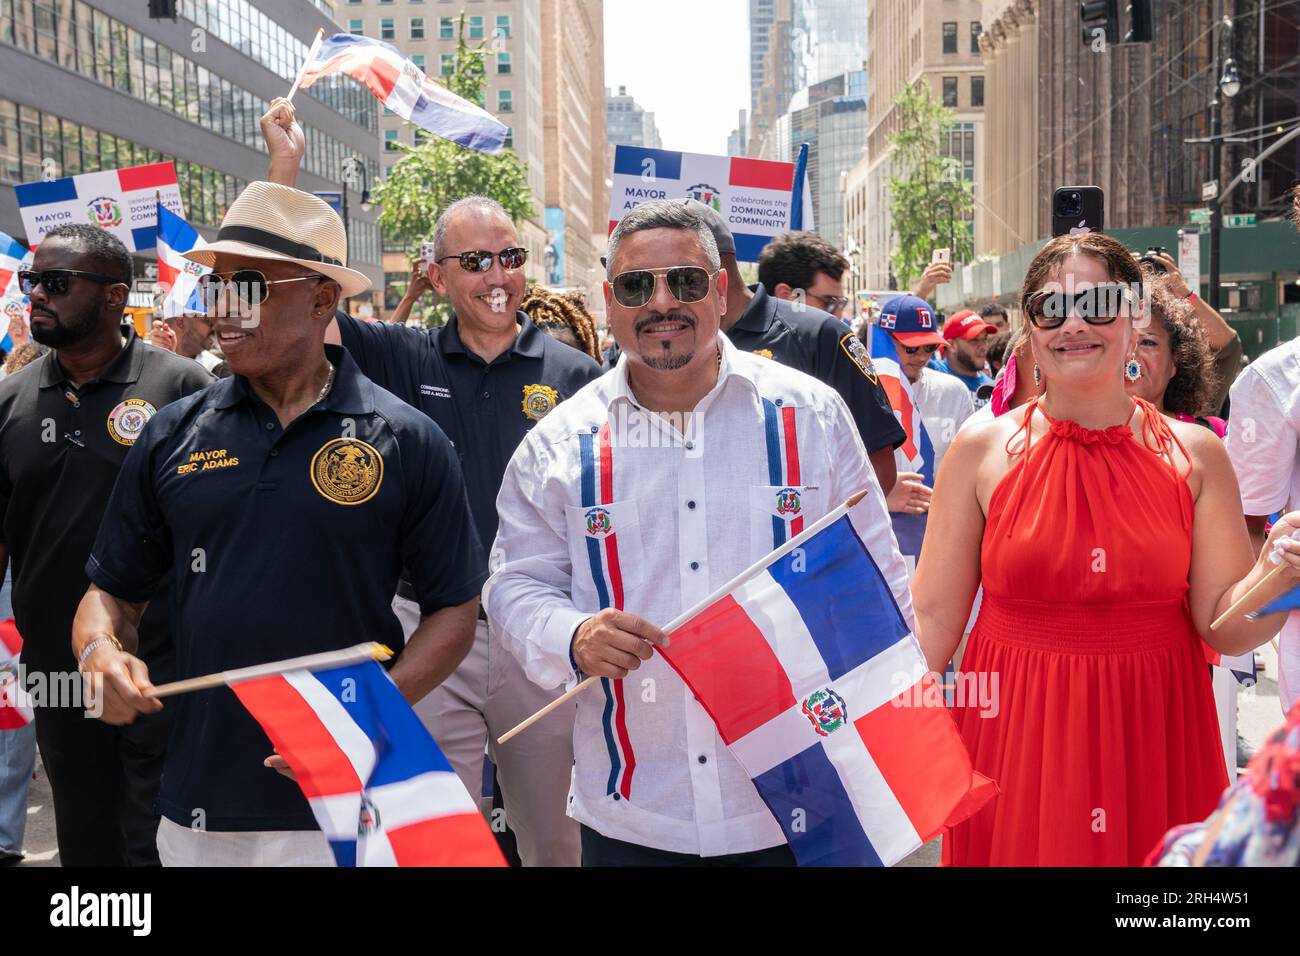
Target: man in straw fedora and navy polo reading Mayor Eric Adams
<point x="283" y="504"/>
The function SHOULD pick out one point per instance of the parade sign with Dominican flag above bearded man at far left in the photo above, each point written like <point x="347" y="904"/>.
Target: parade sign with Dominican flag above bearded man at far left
<point x="122" y="201"/>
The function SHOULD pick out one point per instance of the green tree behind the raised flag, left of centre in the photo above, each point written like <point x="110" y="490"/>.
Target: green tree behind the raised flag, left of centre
<point x="437" y="172"/>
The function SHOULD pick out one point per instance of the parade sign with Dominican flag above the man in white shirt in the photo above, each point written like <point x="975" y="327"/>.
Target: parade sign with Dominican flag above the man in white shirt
<point x="752" y="196"/>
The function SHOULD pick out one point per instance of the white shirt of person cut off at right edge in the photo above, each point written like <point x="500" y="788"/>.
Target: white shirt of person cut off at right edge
<point x="1264" y="444"/>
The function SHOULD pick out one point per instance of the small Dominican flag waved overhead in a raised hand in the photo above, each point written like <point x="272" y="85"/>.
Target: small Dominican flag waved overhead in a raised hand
<point x="405" y="89"/>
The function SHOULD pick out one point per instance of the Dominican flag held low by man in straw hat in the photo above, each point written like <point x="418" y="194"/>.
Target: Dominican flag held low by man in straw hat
<point x="376" y="781"/>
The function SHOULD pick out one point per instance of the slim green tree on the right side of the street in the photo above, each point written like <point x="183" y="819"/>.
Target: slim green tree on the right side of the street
<point x="925" y="185"/>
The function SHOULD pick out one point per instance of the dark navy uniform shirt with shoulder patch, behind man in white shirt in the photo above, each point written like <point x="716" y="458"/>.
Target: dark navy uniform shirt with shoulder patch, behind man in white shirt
<point x="818" y="344"/>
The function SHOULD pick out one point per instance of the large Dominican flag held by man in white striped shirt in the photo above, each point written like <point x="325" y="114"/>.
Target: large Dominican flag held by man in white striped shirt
<point x="820" y="690"/>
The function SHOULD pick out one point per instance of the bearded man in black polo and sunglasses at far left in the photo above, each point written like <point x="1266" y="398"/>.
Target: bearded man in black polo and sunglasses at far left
<point x="67" y="422"/>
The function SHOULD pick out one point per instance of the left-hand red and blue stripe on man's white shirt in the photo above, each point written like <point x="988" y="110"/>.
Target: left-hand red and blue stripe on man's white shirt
<point x="603" y="551"/>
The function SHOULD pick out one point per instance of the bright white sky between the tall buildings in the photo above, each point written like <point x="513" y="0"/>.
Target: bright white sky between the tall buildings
<point x="687" y="60"/>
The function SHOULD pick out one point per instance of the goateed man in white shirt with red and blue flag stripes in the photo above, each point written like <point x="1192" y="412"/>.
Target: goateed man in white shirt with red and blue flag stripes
<point x="636" y="500"/>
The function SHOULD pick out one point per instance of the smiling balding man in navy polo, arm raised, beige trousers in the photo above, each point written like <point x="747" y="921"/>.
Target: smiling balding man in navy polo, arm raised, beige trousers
<point x="487" y="379"/>
